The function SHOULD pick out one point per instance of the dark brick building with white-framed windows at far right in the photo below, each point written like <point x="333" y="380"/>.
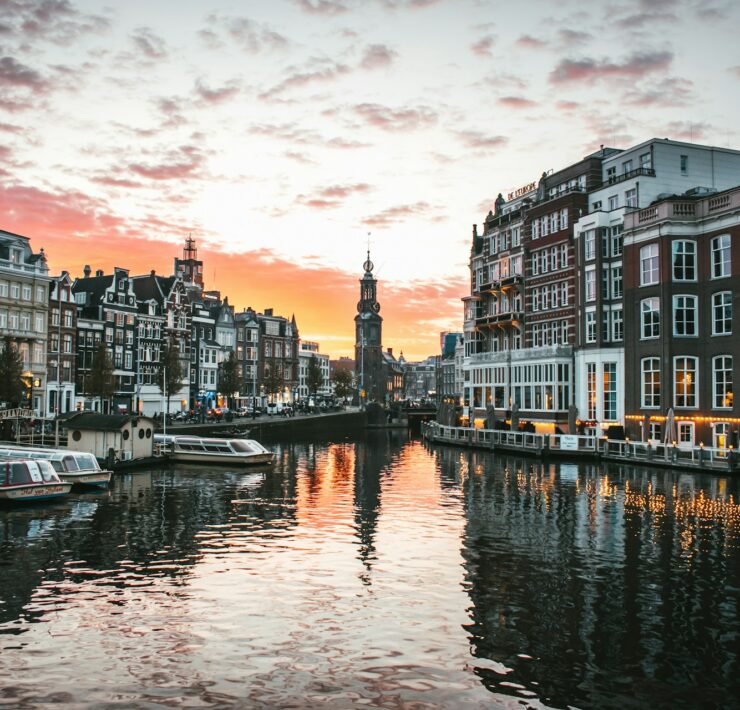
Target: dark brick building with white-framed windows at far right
<point x="682" y="284"/>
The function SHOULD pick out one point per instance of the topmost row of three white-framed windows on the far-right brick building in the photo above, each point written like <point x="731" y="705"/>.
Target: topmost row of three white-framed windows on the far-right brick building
<point x="684" y="260"/>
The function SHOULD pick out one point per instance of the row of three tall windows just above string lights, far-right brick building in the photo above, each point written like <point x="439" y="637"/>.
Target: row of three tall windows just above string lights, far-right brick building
<point x="685" y="382"/>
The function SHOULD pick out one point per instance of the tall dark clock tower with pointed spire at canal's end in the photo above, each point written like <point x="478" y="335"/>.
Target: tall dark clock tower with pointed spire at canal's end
<point x="369" y="338"/>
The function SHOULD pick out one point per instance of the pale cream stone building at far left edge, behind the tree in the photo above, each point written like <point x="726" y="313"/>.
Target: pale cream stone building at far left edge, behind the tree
<point x="24" y="306"/>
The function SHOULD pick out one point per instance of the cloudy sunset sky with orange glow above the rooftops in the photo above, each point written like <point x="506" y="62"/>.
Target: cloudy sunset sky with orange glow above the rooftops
<point x="280" y="133"/>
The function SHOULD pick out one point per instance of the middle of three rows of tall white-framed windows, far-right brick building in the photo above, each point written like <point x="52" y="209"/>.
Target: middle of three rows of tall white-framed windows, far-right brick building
<point x="685" y="315"/>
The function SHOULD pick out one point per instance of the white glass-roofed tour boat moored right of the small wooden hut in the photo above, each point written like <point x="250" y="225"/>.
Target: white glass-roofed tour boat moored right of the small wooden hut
<point x="196" y="449"/>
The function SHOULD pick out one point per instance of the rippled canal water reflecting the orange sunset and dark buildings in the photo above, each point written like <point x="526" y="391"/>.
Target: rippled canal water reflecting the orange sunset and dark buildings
<point x="378" y="573"/>
